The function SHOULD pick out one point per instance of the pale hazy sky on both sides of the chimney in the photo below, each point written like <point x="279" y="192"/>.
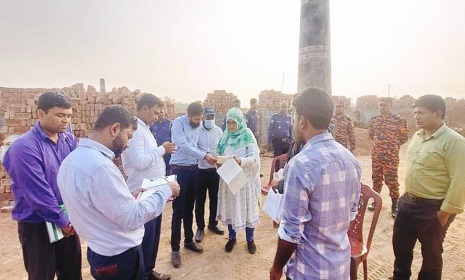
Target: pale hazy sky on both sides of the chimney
<point x="184" y="49"/>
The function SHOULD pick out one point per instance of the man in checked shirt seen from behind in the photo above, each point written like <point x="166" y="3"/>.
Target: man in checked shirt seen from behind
<point x="321" y="193"/>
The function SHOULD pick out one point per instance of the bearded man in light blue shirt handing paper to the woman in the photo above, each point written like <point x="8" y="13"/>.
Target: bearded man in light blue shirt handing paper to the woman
<point x="185" y="135"/>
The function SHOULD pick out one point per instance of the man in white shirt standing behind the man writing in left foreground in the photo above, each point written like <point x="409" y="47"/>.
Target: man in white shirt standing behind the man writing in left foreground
<point x="144" y="159"/>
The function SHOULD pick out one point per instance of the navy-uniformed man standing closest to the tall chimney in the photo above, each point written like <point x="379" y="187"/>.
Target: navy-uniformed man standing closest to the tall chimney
<point x="280" y="130"/>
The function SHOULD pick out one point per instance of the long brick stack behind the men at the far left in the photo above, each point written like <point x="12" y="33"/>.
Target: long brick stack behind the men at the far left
<point x="18" y="109"/>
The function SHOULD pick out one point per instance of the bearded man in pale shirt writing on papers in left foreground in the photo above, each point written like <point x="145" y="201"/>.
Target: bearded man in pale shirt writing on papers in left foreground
<point x="100" y="206"/>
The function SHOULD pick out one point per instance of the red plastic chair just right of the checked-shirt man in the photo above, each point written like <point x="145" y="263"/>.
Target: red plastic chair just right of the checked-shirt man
<point x="359" y="249"/>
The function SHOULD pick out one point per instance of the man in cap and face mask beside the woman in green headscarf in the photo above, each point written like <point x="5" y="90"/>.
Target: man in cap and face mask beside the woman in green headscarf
<point x="208" y="179"/>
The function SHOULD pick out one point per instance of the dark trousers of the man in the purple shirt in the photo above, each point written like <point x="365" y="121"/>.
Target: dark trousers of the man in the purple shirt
<point x="43" y="259"/>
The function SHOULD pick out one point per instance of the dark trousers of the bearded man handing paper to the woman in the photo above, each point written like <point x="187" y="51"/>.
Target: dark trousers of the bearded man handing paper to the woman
<point x="183" y="207"/>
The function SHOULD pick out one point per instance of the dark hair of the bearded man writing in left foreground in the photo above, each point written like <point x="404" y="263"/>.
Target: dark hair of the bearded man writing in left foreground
<point x="115" y="114"/>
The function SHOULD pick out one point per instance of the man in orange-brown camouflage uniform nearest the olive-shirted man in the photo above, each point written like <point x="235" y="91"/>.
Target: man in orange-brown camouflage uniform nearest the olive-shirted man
<point x="388" y="132"/>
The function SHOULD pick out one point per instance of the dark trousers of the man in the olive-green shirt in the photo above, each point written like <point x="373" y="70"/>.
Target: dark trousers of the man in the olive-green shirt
<point x="417" y="219"/>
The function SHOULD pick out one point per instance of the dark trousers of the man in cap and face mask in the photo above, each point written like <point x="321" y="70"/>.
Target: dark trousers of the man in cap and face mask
<point x="208" y="179"/>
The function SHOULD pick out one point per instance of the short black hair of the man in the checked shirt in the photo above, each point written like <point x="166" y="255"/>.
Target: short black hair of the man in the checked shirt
<point x="316" y="106"/>
